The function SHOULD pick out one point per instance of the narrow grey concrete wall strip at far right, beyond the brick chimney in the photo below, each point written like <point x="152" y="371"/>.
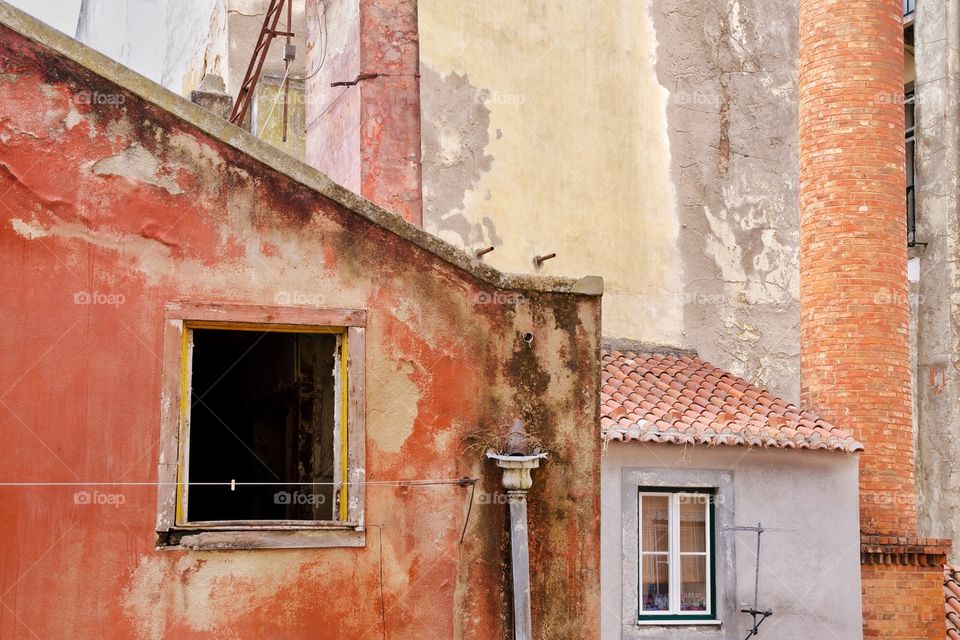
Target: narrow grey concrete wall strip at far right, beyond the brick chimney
<point x="937" y="338"/>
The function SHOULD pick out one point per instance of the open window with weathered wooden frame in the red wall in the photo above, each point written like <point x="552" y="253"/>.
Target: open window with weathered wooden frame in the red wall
<point x="263" y="428"/>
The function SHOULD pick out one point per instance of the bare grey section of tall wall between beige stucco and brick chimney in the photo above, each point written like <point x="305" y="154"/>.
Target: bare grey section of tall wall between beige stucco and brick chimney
<point x="731" y="70"/>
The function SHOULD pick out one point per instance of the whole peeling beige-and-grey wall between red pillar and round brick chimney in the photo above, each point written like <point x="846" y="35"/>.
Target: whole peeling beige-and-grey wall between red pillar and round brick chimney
<point x="652" y="143"/>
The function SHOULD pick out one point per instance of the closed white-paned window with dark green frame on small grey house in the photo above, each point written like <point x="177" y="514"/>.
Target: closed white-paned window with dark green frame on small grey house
<point x="664" y="557"/>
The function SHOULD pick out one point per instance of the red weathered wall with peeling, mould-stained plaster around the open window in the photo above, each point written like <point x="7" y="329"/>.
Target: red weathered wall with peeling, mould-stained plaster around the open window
<point x="124" y="200"/>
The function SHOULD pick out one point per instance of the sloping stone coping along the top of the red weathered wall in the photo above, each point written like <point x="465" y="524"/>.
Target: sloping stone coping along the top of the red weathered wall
<point x="265" y="153"/>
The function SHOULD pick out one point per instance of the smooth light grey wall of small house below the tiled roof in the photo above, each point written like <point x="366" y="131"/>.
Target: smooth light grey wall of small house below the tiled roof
<point x="809" y="576"/>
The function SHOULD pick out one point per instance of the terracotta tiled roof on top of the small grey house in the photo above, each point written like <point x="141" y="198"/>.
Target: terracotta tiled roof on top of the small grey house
<point x="685" y="400"/>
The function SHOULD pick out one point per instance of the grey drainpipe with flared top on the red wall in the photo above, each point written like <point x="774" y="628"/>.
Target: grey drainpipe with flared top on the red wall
<point x="517" y="480"/>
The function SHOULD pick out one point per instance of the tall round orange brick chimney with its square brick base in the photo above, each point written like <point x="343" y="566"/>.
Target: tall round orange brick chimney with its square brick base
<point x="854" y="328"/>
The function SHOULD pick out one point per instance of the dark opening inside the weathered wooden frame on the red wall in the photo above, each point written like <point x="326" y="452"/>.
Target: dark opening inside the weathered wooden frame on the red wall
<point x="263" y="409"/>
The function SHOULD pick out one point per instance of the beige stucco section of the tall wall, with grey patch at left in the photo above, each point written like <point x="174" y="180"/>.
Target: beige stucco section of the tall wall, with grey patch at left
<point x="545" y="131"/>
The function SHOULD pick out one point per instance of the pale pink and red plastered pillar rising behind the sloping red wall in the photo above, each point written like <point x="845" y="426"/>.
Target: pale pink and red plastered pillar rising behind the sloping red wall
<point x="363" y="99"/>
